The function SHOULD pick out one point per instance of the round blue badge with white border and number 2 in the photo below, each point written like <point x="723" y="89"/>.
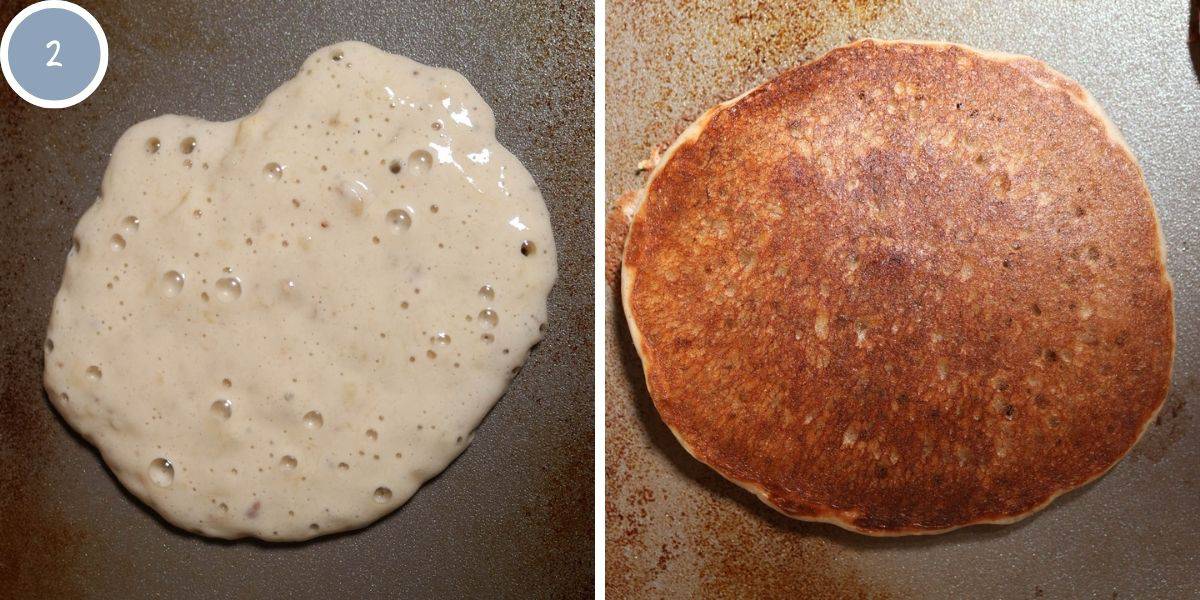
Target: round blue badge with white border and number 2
<point x="55" y="55"/>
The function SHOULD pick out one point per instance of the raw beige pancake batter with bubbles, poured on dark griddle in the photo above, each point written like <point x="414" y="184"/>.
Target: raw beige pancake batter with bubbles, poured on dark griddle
<point x="283" y="326"/>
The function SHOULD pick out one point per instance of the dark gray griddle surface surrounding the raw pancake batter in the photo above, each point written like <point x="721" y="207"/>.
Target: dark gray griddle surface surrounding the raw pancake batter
<point x="511" y="519"/>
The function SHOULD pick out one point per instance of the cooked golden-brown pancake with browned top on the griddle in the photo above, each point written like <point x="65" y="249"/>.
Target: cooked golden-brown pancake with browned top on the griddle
<point x="904" y="289"/>
